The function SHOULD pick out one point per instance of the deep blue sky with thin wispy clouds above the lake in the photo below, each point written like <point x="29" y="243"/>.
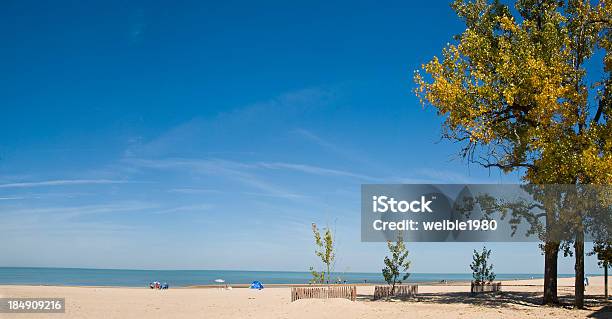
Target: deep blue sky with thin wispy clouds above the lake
<point x="200" y="135"/>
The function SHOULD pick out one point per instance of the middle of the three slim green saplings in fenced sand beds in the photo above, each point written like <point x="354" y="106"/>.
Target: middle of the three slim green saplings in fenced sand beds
<point x="397" y="264"/>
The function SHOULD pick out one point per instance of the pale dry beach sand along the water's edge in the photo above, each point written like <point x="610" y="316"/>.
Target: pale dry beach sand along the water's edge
<point x="520" y="299"/>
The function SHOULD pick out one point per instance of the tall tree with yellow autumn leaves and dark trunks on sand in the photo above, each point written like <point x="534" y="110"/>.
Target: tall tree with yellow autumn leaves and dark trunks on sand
<point x="519" y="89"/>
